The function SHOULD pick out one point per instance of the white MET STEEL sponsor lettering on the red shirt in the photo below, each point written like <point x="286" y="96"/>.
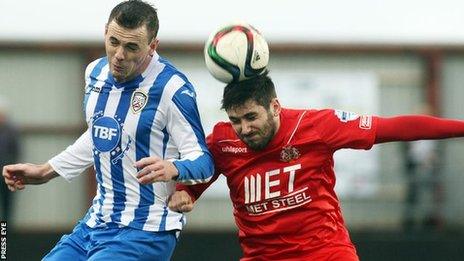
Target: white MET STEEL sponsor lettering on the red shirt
<point x="262" y="194"/>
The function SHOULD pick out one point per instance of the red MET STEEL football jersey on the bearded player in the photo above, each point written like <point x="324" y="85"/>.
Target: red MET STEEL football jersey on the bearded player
<point x="283" y="197"/>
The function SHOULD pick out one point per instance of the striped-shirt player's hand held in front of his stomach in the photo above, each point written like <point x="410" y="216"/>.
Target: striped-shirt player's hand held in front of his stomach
<point x="154" y="169"/>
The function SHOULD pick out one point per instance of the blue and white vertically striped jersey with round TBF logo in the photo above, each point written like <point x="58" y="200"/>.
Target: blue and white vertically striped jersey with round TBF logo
<point x="154" y="114"/>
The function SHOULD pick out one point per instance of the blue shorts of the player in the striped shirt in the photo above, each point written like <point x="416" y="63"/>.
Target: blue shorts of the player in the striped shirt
<point x="125" y="243"/>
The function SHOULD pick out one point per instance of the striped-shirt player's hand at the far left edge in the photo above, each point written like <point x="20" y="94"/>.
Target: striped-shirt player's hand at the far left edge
<point x="17" y="176"/>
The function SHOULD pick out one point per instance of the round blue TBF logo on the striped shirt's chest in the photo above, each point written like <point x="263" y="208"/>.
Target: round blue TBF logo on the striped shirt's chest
<point x="106" y="133"/>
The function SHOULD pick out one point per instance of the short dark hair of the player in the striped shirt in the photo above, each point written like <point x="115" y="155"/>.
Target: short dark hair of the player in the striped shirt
<point x="132" y="14"/>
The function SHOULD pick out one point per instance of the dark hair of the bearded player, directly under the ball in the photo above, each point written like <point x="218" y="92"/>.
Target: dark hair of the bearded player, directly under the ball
<point x="259" y="89"/>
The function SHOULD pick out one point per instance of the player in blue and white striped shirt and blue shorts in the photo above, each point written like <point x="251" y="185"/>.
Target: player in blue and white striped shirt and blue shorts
<point x="143" y="126"/>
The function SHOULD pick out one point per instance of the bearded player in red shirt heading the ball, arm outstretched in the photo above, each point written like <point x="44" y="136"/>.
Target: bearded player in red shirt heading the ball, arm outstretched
<point x="280" y="169"/>
